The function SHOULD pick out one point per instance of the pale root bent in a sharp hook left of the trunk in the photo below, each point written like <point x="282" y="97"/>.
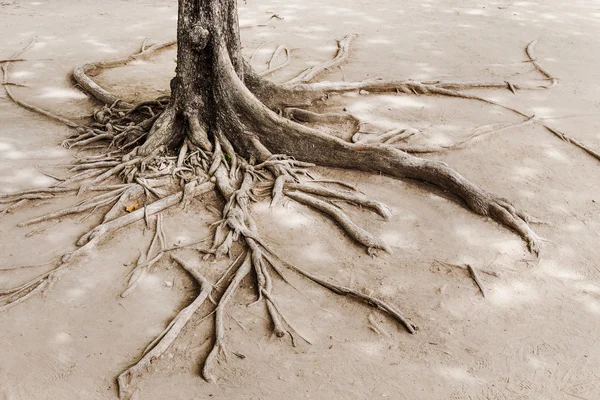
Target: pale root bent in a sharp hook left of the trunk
<point x="80" y="73"/>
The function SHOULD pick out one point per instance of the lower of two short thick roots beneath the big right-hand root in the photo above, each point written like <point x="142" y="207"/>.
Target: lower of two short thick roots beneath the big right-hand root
<point x="354" y="231"/>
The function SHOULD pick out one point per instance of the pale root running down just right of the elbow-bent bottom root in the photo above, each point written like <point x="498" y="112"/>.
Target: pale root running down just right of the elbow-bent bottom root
<point x="218" y="347"/>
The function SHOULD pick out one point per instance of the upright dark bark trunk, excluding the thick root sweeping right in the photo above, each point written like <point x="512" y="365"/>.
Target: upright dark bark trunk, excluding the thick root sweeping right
<point x="207" y="38"/>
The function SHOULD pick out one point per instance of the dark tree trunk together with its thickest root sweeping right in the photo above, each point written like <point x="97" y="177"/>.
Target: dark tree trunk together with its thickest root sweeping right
<point x="212" y="106"/>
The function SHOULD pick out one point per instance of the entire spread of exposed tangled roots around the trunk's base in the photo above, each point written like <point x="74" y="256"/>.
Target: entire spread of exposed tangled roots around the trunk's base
<point x="255" y="146"/>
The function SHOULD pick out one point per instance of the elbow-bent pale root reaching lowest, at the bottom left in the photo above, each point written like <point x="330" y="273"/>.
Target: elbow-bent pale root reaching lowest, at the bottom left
<point x="168" y="336"/>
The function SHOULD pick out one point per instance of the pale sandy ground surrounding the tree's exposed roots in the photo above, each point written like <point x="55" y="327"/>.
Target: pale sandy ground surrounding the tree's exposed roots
<point x="533" y="337"/>
